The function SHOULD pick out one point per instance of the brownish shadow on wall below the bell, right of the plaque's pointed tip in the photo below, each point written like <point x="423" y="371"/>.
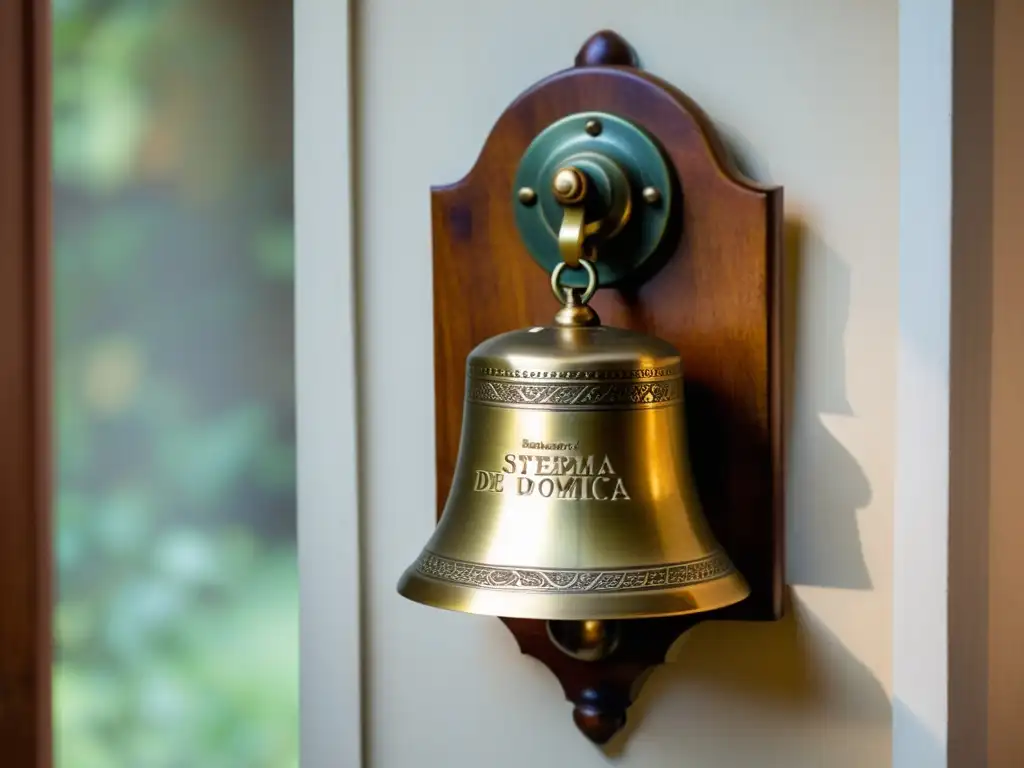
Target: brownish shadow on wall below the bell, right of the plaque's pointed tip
<point x="726" y="670"/>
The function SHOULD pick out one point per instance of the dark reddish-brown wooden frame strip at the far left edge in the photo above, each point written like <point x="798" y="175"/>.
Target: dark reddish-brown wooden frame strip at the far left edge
<point x="26" y="582"/>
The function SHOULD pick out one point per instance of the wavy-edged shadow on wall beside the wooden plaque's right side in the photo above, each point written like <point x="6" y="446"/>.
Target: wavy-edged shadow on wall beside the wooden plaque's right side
<point x="823" y="537"/>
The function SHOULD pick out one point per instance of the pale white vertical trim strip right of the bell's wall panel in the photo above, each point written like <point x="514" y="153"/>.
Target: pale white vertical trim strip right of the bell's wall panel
<point x="922" y="494"/>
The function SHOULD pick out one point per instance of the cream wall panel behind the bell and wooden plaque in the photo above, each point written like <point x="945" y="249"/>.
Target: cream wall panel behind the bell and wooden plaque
<point x="807" y="94"/>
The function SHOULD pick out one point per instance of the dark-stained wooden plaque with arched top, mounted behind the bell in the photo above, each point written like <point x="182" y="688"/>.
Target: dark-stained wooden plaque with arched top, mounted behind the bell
<point x="716" y="296"/>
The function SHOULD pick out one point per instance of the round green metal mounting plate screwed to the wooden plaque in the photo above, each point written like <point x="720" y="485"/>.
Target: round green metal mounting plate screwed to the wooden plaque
<point x="591" y="140"/>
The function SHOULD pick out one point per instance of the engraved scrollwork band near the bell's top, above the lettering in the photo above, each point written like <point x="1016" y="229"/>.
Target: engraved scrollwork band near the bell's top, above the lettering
<point x="582" y="396"/>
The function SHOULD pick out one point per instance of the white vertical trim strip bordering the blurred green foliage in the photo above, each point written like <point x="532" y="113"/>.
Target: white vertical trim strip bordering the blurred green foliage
<point x="326" y="331"/>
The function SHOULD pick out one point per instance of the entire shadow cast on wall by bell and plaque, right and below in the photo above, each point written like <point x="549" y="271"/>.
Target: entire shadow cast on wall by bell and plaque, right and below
<point x="797" y="666"/>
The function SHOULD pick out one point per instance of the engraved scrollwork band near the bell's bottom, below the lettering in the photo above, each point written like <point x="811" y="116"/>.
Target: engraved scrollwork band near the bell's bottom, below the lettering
<point x="572" y="582"/>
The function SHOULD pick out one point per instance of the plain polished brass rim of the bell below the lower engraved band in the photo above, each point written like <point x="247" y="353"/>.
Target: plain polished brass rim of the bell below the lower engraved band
<point x="692" y="600"/>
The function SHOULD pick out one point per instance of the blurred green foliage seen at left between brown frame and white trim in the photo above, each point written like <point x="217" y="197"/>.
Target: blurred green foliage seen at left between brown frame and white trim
<point x="178" y="618"/>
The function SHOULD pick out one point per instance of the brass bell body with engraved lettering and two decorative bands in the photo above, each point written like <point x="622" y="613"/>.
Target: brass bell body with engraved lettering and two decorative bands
<point x="573" y="497"/>
